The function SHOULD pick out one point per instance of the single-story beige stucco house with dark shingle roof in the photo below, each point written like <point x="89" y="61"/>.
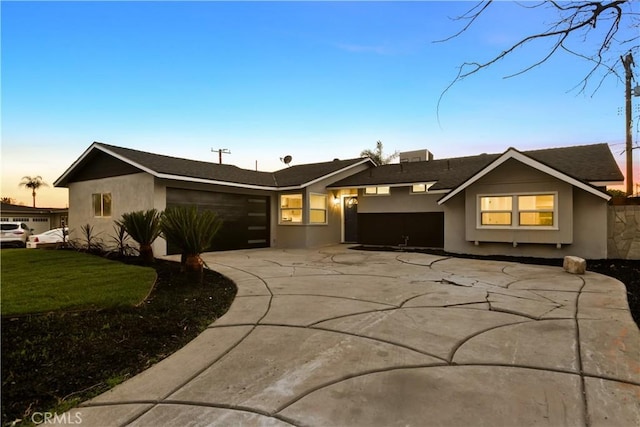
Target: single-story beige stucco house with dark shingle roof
<point x="545" y="203"/>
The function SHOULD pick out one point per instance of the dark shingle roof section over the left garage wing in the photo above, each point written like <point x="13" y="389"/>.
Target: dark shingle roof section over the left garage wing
<point x="168" y="166"/>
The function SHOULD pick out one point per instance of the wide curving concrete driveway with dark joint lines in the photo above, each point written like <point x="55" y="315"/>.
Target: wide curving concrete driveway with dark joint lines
<point x="338" y="337"/>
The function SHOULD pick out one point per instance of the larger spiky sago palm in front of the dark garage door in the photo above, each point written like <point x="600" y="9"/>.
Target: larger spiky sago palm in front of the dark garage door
<point x="191" y="231"/>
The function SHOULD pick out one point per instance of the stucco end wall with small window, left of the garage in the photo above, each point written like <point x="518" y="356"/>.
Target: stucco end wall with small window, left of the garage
<point x="129" y="193"/>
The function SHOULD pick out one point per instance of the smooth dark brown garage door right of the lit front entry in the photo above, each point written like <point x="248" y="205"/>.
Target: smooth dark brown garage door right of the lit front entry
<point x="424" y="229"/>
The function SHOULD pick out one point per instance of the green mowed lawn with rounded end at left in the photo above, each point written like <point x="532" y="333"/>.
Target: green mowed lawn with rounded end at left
<point x="36" y="281"/>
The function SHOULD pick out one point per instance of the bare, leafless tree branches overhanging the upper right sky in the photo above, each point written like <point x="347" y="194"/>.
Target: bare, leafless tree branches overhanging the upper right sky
<point x="599" y="32"/>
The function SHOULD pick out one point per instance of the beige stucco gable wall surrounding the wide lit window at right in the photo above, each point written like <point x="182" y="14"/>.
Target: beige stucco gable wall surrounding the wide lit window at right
<point x="581" y="219"/>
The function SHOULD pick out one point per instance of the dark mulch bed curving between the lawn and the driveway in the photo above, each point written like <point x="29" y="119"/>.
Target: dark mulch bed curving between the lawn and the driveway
<point x="55" y="361"/>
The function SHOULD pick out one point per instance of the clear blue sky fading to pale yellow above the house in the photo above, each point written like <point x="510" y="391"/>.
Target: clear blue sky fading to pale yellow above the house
<point x="316" y="81"/>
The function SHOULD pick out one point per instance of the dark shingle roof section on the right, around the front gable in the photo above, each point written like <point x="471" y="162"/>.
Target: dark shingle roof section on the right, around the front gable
<point x="587" y="163"/>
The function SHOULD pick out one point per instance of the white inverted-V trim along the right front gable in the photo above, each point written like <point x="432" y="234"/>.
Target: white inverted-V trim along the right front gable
<point x="512" y="153"/>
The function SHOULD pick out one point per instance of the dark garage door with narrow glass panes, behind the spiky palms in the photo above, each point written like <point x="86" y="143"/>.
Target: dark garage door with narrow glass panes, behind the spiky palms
<point x="246" y="217"/>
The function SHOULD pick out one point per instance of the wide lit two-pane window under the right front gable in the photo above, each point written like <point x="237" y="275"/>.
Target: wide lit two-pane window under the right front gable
<point x="531" y="210"/>
